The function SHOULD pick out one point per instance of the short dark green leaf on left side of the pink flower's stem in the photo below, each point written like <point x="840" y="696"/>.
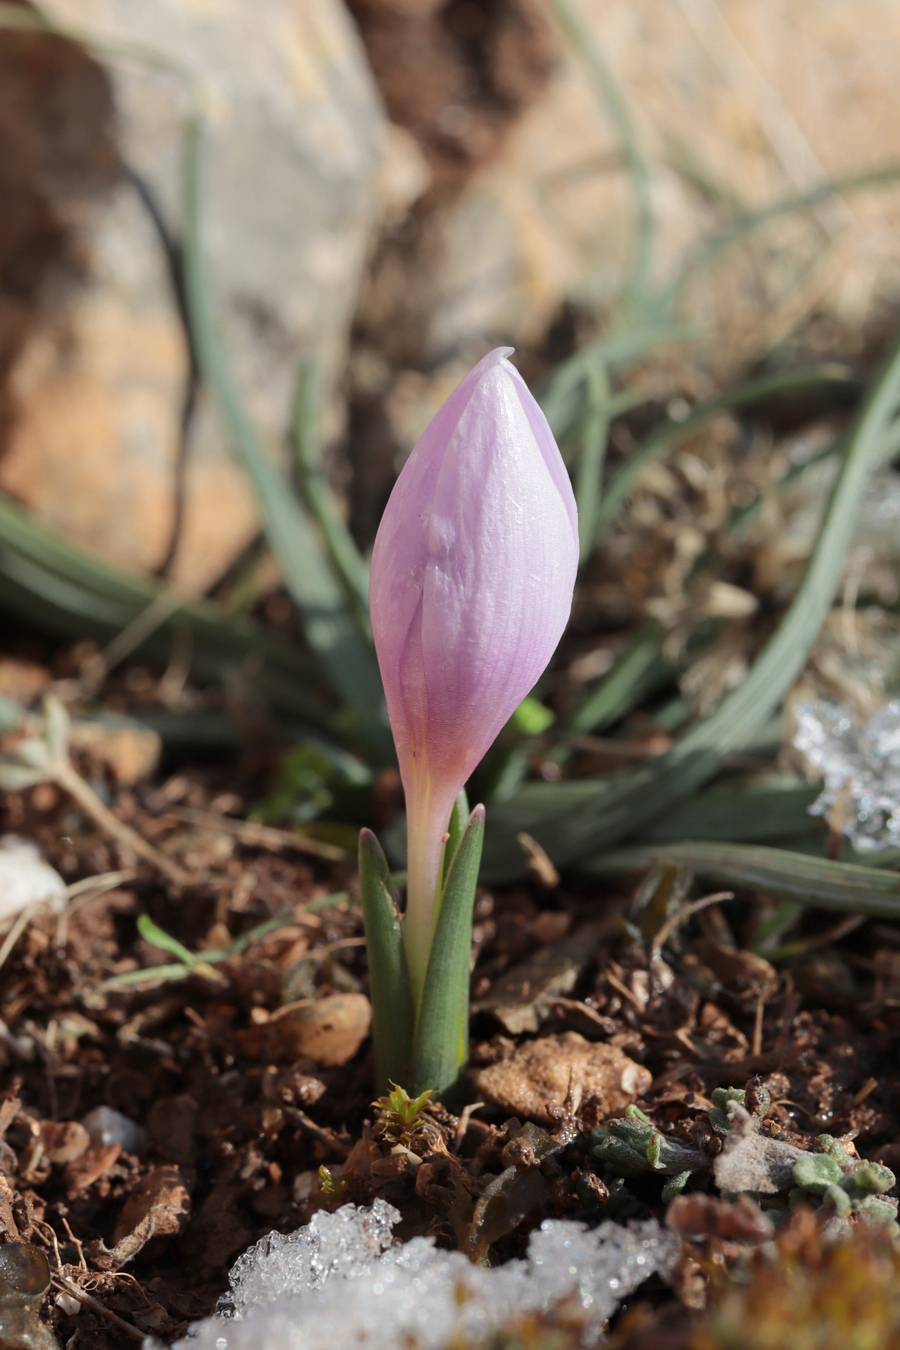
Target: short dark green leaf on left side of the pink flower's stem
<point x="391" y="990"/>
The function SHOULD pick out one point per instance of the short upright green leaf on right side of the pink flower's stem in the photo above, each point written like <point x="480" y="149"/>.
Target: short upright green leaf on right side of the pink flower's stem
<point x="442" y="1035"/>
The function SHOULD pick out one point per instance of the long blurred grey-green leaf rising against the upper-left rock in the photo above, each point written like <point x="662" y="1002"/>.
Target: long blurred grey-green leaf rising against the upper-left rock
<point x="329" y="624"/>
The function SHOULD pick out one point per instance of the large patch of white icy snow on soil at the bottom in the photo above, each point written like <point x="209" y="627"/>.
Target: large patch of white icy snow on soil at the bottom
<point x="338" y="1283"/>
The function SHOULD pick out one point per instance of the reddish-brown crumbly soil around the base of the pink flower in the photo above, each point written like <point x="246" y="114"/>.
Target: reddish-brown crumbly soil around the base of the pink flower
<point x="253" y="1075"/>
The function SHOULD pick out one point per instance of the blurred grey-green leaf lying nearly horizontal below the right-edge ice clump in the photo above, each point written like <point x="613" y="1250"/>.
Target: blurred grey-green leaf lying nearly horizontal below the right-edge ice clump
<point x="813" y="881"/>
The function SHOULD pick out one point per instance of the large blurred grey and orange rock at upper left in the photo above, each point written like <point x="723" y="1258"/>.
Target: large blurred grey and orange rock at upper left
<point x="99" y="380"/>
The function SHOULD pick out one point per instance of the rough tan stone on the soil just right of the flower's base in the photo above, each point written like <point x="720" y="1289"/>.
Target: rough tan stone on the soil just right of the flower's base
<point x="538" y="1078"/>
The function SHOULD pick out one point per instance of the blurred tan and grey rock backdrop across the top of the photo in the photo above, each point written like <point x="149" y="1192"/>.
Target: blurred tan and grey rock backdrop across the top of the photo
<point x="396" y="186"/>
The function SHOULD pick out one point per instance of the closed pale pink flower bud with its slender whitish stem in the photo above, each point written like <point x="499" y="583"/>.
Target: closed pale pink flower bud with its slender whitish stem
<point x="472" y="588"/>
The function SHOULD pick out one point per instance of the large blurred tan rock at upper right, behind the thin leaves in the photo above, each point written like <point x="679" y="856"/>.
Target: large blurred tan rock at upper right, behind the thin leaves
<point x="735" y="106"/>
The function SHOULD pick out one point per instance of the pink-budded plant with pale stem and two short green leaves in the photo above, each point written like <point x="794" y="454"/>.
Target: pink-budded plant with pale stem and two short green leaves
<point x="472" y="588"/>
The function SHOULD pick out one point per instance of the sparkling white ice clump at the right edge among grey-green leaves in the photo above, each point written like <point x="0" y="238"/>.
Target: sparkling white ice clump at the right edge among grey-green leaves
<point x="860" y="766"/>
